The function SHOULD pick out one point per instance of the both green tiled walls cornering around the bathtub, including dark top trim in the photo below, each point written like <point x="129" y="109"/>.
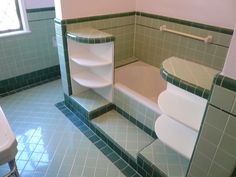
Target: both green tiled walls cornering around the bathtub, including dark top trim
<point x="138" y="35"/>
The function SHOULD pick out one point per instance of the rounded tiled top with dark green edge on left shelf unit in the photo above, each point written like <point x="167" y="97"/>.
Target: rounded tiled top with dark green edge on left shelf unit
<point x="90" y="36"/>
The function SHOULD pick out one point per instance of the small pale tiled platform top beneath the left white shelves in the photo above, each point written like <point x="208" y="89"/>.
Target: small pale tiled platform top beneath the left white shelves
<point x="90" y="100"/>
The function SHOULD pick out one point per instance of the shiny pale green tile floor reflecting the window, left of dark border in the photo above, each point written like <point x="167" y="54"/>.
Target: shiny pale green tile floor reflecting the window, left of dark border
<point x="49" y="145"/>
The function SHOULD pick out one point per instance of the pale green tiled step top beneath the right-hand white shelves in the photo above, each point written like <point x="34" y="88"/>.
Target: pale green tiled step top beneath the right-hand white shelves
<point x="165" y="159"/>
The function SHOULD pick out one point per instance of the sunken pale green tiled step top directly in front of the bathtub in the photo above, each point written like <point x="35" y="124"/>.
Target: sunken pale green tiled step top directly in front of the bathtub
<point x="123" y="132"/>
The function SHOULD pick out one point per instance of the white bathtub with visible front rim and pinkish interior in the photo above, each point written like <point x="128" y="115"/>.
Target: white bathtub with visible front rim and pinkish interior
<point x="142" y="82"/>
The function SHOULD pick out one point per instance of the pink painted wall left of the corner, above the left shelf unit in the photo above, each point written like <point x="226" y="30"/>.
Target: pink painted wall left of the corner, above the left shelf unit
<point x="66" y="9"/>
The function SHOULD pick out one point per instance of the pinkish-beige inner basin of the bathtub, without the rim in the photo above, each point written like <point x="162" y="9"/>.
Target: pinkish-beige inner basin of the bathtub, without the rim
<point x="141" y="78"/>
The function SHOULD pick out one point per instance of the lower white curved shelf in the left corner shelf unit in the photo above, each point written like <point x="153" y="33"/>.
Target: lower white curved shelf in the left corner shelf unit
<point x="90" y="80"/>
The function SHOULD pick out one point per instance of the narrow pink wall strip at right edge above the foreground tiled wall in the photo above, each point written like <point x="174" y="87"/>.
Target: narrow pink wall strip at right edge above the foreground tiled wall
<point x="230" y="63"/>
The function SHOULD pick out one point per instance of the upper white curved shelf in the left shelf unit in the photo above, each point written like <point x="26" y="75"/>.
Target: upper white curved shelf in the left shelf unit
<point x="90" y="60"/>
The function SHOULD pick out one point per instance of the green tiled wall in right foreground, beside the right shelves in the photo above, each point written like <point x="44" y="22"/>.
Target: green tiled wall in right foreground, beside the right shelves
<point x="215" y="155"/>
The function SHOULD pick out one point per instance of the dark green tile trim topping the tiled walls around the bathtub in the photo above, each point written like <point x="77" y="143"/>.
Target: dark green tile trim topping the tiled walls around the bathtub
<point x="170" y="19"/>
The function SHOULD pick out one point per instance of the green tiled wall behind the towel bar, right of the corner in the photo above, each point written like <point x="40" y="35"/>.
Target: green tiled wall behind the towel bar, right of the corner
<point x="153" y="46"/>
